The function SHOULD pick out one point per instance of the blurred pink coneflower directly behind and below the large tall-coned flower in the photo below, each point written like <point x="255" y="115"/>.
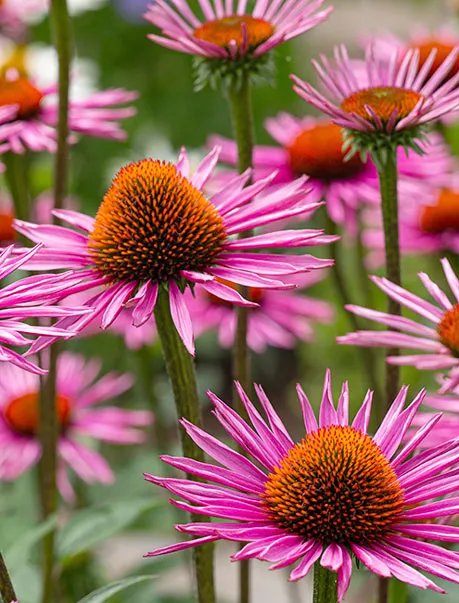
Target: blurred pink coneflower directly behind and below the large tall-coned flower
<point x="280" y="319"/>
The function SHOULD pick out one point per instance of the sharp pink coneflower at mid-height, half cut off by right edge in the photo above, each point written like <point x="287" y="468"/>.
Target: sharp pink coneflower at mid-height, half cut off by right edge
<point x="439" y="343"/>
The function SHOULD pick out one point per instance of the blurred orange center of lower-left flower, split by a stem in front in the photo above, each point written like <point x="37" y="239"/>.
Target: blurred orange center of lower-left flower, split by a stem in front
<point x="22" y="413"/>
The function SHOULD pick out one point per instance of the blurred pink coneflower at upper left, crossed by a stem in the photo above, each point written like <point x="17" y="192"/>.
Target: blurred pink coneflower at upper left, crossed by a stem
<point x="33" y="124"/>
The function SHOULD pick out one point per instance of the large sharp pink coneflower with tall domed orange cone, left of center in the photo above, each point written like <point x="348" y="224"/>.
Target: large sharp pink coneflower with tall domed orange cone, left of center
<point x="156" y="228"/>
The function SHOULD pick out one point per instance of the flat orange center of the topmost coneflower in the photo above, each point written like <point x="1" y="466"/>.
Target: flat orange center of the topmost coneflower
<point x="244" y="30"/>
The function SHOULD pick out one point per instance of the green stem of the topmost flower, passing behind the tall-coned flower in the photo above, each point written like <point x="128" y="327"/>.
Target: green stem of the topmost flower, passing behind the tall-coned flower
<point x="240" y="99"/>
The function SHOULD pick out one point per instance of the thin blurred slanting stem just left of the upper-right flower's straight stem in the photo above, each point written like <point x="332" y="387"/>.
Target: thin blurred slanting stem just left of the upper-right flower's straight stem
<point x="339" y="281"/>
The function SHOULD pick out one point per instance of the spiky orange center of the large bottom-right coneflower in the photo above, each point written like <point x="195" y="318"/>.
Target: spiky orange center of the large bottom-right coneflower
<point x="335" y="486"/>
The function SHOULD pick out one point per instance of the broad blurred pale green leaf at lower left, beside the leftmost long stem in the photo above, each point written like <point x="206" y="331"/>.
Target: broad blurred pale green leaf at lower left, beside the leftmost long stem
<point x="89" y="527"/>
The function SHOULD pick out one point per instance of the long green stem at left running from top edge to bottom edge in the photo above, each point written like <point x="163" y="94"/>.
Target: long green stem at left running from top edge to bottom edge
<point x="49" y="427"/>
